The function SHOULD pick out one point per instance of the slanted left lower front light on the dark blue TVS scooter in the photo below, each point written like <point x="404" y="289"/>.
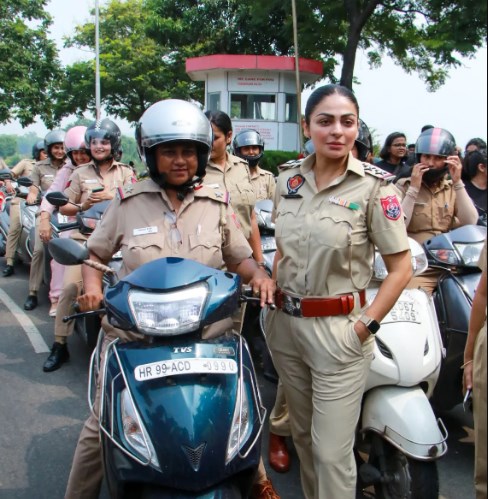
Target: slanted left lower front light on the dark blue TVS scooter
<point x="134" y="432"/>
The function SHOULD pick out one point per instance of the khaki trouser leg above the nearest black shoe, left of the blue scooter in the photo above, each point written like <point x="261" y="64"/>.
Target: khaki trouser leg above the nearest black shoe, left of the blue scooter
<point x="72" y="284"/>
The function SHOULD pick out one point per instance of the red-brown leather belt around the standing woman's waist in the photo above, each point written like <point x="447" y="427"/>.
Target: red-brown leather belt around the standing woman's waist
<point x="317" y="307"/>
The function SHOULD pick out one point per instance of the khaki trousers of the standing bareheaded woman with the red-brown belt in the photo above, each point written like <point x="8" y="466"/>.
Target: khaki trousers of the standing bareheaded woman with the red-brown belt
<point x="323" y="368"/>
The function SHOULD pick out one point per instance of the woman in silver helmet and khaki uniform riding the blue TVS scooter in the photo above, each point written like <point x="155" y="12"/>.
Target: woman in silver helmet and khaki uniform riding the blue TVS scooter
<point x="170" y="214"/>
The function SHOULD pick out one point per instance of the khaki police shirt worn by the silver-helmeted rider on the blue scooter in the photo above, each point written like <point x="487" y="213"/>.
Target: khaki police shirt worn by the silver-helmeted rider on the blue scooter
<point x="141" y="223"/>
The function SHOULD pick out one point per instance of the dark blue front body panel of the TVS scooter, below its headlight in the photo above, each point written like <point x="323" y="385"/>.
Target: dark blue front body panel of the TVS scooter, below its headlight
<point x="188" y="417"/>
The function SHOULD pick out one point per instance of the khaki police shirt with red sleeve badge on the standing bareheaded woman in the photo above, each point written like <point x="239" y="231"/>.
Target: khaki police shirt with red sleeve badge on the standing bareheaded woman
<point x="327" y="237"/>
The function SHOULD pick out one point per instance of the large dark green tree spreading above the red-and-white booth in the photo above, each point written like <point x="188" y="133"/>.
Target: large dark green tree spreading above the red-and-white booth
<point x="424" y="36"/>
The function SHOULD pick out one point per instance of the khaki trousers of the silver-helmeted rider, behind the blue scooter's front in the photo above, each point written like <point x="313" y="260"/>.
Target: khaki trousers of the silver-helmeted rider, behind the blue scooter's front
<point x="85" y="478"/>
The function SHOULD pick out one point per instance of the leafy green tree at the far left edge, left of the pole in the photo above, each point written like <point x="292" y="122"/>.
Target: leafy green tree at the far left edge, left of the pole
<point x="29" y="66"/>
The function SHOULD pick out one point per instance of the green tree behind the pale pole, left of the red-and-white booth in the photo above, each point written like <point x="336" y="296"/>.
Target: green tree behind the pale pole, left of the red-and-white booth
<point x="135" y="70"/>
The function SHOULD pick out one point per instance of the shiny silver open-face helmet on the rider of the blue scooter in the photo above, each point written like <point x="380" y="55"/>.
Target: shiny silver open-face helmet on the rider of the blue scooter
<point x="173" y="120"/>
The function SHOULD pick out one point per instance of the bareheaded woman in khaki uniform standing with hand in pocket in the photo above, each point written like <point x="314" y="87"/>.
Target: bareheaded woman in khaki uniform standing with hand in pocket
<point x="330" y="212"/>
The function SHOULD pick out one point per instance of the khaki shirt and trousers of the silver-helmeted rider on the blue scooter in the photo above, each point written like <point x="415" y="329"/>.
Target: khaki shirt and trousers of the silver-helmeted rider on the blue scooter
<point x="144" y="226"/>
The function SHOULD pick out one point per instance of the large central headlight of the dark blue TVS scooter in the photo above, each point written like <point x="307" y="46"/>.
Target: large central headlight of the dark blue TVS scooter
<point x="168" y="314"/>
